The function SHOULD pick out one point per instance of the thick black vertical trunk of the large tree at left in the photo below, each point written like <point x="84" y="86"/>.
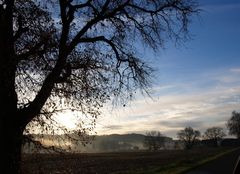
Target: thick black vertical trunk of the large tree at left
<point x="11" y="130"/>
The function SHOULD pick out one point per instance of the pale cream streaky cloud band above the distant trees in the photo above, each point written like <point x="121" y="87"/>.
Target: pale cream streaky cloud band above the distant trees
<point x="198" y="106"/>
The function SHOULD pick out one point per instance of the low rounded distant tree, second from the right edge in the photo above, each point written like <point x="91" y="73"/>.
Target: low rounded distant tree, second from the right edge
<point x="214" y="134"/>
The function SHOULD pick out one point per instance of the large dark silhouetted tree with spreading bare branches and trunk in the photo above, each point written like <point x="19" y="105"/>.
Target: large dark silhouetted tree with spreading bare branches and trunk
<point x="69" y="54"/>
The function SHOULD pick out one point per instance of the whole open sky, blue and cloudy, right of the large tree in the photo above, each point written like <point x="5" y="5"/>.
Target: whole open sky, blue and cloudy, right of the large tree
<point x="196" y="84"/>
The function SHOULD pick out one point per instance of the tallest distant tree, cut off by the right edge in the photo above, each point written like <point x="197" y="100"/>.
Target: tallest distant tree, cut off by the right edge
<point x="233" y="124"/>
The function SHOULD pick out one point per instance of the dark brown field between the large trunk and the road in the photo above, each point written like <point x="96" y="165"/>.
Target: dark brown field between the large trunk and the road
<point x="115" y="163"/>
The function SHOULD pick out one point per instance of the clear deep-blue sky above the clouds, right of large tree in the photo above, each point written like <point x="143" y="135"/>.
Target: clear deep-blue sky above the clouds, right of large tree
<point x="214" y="45"/>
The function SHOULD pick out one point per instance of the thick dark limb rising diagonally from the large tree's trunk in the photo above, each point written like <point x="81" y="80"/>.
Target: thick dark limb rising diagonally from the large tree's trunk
<point x="36" y="105"/>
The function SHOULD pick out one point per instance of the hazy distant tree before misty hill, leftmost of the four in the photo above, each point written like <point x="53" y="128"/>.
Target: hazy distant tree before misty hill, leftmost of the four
<point x="154" y="140"/>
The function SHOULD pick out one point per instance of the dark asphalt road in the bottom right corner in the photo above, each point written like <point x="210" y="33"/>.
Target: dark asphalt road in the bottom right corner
<point x="222" y="165"/>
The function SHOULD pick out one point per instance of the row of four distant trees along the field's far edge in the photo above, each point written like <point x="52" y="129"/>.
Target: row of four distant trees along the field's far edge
<point x="188" y="136"/>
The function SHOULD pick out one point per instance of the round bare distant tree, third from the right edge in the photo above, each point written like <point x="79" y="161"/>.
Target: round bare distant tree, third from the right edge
<point x="189" y="136"/>
